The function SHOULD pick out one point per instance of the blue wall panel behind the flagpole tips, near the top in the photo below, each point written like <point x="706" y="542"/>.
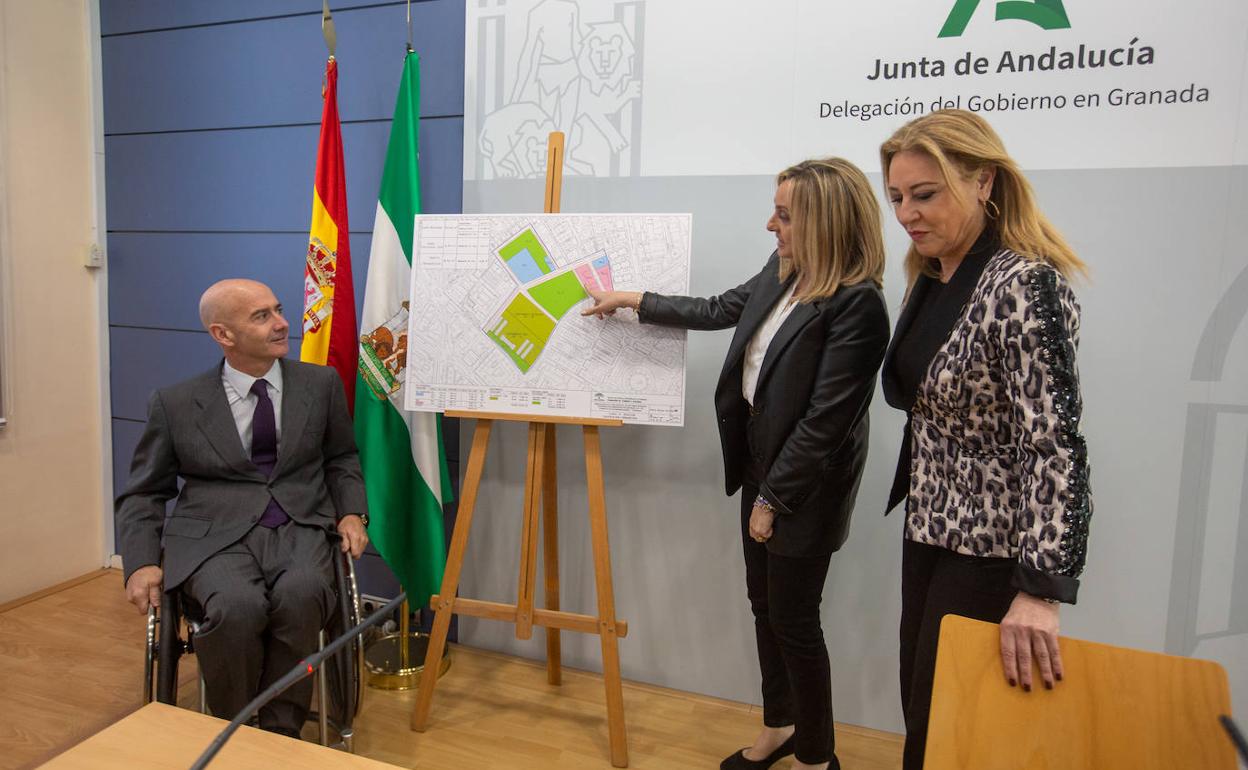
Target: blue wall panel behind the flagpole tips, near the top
<point x="270" y="73"/>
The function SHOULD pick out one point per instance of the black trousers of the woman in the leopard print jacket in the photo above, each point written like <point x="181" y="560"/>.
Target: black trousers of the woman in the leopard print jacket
<point x="937" y="582"/>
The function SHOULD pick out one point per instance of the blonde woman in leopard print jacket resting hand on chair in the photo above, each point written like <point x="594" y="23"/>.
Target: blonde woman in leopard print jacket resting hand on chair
<point x="994" y="469"/>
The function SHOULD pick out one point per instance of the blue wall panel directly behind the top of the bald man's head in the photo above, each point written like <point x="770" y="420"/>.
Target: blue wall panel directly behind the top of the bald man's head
<point x="183" y="265"/>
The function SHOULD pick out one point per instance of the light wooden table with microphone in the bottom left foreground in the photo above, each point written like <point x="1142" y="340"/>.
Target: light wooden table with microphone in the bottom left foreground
<point x="160" y="736"/>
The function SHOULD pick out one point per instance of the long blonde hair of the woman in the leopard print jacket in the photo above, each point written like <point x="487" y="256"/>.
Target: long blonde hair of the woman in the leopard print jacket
<point x="964" y="145"/>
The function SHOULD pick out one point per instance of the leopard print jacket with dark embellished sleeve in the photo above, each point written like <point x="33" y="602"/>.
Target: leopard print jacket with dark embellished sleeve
<point x="999" y="467"/>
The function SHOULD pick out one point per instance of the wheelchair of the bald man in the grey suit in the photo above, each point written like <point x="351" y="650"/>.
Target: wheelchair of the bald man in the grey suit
<point x="339" y="681"/>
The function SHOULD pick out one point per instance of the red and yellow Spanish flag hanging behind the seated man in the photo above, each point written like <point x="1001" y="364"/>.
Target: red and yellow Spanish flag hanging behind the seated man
<point x="329" y="294"/>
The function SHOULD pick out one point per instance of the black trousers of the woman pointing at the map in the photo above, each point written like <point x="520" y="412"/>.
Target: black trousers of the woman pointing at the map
<point x="786" y="595"/>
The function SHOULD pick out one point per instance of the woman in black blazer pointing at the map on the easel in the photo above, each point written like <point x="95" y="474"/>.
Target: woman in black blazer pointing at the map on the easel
<point x="812" y="330"/>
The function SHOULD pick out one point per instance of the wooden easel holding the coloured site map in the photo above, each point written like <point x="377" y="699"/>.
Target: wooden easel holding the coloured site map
<point x="541" y="492"/>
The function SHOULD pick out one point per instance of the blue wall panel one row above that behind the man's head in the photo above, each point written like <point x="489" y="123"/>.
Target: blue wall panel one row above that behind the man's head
<point x="261" y="179"/>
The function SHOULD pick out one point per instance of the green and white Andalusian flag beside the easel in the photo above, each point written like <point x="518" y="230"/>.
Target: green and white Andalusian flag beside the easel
<point x="401" y="452"/>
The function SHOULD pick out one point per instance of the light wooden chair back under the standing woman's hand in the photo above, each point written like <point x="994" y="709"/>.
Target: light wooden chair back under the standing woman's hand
<point x="1116" y="708"/>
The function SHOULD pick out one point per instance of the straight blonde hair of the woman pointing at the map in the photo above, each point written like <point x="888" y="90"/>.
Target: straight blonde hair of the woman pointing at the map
<point x="837" y="239"/>
